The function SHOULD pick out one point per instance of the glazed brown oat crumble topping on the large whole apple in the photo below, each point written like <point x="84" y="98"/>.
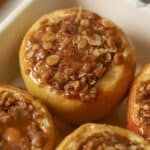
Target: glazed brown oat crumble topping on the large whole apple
<point x="73" y="52"/>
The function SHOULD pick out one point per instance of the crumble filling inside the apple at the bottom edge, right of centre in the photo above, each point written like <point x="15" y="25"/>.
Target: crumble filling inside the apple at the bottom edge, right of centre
<point x="109" y="141"/>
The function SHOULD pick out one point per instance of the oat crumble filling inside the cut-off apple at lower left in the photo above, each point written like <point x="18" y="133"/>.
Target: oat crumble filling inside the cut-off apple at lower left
<point x="20" y="123"/>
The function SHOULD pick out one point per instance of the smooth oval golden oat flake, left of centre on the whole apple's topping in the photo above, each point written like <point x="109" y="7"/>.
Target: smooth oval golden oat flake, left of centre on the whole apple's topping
<point x="52" y="60"/>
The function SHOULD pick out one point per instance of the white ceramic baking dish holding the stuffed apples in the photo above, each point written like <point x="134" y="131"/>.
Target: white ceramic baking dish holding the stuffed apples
<point x="14" y="23"/>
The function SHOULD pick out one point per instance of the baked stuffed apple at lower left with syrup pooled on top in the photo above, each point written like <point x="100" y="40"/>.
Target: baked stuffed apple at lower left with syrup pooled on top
<point x="25" y="123"/>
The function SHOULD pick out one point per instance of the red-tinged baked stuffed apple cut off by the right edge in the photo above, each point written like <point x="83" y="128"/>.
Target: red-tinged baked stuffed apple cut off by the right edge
<point x="138" y="113"/>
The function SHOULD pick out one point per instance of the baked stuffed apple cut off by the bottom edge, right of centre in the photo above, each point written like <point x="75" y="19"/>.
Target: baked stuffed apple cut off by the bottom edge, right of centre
<point x="103" y="137"/>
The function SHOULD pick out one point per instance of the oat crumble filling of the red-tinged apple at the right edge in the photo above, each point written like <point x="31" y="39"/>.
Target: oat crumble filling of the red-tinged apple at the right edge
<point x="143" y="98"/>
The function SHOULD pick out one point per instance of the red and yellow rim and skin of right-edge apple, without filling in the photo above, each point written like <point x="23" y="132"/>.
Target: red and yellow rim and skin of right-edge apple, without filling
<point x="133" y="122"/>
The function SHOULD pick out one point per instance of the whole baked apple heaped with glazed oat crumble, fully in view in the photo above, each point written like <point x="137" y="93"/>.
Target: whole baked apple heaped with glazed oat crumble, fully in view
<point x="78" y="62"/>
